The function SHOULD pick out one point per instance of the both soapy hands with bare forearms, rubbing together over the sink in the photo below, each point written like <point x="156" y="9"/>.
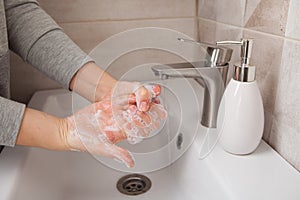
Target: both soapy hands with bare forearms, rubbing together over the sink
<point x="123" y="110"/>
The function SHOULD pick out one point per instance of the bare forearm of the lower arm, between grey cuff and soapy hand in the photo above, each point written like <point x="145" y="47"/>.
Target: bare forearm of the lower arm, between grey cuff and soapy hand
<point x="39" y="129"/>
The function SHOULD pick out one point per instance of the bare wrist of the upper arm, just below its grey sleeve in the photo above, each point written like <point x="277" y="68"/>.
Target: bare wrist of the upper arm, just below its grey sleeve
<point x="92" y="82"/>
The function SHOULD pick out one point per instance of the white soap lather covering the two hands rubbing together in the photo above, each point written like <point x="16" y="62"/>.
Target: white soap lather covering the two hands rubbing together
<point x="118" y="116"/>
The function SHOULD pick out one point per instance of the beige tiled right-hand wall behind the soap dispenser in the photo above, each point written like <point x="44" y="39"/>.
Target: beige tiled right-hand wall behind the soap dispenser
<point x="274" y="24"/>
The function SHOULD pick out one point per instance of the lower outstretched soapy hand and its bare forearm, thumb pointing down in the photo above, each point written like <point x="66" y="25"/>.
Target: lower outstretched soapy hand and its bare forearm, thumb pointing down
<point x="95" y="128"/>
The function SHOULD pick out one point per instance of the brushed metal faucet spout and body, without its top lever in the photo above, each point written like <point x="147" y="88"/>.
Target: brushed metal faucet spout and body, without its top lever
<point x="212" y="78"/>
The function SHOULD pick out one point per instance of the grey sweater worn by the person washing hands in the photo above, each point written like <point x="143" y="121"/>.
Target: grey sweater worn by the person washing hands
<point x="28" y="31"/>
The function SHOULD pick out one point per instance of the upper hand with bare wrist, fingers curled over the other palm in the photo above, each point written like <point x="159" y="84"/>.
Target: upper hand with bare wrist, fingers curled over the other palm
<point x="94" y="84"/>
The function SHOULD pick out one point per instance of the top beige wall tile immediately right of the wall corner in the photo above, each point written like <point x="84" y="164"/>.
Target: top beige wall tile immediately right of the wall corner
<point x="225" y="11"/>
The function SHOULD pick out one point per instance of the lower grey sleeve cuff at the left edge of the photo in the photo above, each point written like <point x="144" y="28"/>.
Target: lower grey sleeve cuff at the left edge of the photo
<point x="11" y="118"/>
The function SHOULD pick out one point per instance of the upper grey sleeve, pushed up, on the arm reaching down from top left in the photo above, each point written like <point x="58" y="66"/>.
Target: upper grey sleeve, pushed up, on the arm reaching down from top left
<point x="35" y="36"/>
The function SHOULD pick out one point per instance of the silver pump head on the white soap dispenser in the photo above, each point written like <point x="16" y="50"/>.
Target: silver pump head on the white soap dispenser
<point x="243" y="71"/>
